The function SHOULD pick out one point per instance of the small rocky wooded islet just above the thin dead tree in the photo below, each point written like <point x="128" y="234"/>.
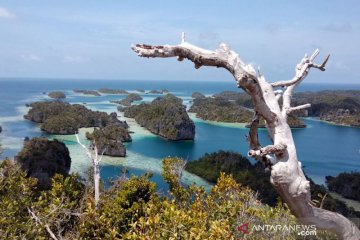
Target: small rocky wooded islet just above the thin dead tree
<point x="109" y="140"/>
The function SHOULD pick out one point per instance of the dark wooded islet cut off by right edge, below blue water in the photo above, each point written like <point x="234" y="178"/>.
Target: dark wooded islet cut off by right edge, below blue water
<point x="346" y="184"/>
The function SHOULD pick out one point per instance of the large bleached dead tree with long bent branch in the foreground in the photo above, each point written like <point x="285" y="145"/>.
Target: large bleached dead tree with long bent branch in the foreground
<point x="287" y="176"/>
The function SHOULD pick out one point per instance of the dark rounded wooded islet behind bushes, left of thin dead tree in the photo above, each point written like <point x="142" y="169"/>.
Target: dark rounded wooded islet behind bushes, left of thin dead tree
<point x="42" y="159"/>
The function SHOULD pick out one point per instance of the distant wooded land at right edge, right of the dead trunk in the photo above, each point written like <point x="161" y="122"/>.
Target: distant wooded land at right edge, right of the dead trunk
<point x="338" y="106"/>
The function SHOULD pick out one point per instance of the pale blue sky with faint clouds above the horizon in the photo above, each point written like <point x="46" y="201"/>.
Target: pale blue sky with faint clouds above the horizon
<point x="88" y="39"/>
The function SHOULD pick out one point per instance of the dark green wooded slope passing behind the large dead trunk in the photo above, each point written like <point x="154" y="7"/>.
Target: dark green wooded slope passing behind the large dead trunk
<point x="210" y="167"/>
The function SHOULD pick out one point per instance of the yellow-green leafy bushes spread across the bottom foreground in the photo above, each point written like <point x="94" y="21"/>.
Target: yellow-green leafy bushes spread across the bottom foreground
<point x="131" y="209"/>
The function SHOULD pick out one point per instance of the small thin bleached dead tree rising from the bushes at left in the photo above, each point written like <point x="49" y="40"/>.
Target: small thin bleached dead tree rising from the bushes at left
<point x="92" y="153"/>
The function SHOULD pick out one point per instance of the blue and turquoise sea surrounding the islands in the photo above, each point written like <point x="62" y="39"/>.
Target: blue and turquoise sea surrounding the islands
<point x="323" y="148"/>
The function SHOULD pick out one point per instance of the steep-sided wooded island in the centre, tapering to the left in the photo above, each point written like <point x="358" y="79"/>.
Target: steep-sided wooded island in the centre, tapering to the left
<point x="165" y="116"/>
